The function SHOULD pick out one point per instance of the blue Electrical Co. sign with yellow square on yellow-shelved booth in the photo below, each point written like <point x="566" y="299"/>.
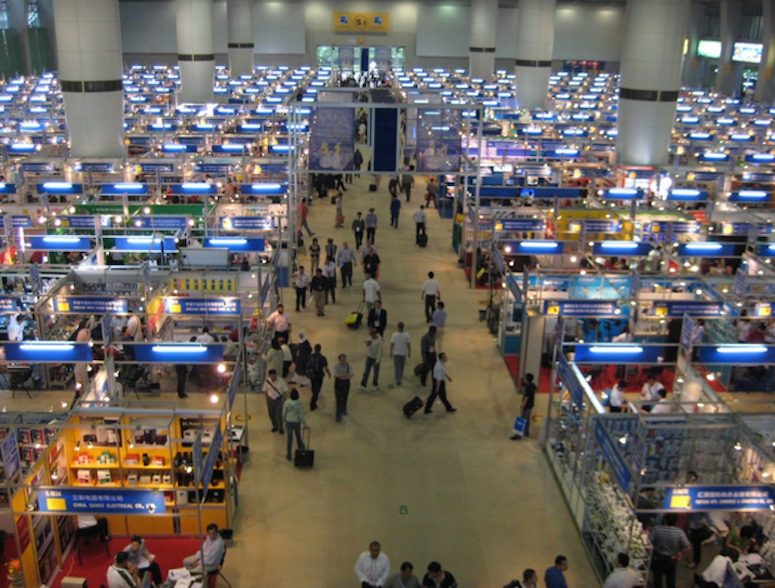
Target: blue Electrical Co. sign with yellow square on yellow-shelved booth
<point x="120" y="501"/>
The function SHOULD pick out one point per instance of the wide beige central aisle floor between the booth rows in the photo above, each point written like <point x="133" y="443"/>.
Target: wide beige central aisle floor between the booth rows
<point x="449" y="487"/>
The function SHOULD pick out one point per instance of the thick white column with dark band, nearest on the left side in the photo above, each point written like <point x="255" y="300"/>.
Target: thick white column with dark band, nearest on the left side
<point x="90" y="68"/>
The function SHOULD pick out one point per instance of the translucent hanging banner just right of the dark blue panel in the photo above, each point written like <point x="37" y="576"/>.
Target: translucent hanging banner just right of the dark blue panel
<point x="438" y="140"/>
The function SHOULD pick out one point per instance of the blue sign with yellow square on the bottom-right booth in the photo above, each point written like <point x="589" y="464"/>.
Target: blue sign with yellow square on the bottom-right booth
<point x="731" y="497"/>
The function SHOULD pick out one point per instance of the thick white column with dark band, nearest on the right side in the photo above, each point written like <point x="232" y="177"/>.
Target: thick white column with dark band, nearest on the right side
<point x="651" y="76"/>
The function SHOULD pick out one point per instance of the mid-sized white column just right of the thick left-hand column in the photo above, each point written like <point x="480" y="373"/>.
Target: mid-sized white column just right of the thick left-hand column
<point x="195" y="49"/>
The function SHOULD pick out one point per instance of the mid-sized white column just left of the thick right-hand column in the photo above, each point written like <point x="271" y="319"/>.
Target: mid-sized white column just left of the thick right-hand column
<point x="535" y="43"/>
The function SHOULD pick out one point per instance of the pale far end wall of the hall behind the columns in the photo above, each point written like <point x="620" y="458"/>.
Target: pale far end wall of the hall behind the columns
<point x="431" y="34"/>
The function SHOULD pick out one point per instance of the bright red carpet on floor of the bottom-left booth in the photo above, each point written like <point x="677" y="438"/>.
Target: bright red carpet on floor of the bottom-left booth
<point x="169" y="553"/>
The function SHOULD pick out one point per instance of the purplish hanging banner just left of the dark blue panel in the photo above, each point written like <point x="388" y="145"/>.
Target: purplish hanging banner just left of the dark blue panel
<point x="331" y="145"/>
